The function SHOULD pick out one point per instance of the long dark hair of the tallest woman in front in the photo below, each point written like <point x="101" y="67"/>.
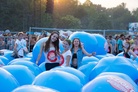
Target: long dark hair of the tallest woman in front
<point x="56" y="43"/>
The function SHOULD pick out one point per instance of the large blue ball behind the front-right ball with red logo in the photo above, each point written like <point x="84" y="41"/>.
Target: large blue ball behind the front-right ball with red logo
<point x="115" y="64"/>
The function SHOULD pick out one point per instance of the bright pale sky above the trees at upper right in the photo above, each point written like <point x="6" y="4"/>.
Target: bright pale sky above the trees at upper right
<point x="130" y="4"/>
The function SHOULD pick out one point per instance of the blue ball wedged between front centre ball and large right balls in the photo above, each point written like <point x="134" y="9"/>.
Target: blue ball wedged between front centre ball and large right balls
<point x="87" y="68"/>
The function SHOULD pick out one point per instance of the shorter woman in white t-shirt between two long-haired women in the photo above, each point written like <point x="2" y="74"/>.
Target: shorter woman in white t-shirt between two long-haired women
<point x="66" y="53"/>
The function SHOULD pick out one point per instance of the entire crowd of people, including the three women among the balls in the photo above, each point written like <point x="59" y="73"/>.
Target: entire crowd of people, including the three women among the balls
<point x="73" y="51"/>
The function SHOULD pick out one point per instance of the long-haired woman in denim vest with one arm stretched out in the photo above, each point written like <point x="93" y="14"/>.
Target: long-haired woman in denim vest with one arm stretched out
<point x="78" y="52"/>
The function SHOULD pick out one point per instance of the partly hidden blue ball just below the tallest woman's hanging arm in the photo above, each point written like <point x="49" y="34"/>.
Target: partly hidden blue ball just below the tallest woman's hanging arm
<point x="31" y="66"/>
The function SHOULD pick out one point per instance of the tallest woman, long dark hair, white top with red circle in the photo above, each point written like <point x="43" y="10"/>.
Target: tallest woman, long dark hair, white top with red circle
<point x="51" y="51"/>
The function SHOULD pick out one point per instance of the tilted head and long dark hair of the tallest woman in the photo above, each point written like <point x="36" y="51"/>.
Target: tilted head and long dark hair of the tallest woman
<point x="54" y="39"/>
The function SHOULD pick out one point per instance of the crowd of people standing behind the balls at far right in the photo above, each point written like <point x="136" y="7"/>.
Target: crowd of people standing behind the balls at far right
<point x="122" y="43"/>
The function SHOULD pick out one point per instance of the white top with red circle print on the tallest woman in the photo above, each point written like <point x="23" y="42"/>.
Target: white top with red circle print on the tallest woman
<point x="50" y="56"/>
